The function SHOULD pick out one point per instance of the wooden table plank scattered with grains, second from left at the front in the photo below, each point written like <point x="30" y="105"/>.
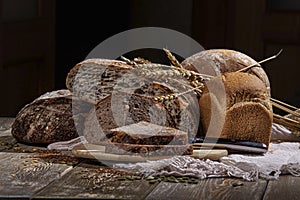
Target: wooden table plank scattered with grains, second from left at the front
<point x="93" y="181"/>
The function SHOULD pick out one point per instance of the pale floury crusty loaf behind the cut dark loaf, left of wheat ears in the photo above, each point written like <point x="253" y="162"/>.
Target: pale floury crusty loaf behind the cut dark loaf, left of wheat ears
<point x="95" y="79"/>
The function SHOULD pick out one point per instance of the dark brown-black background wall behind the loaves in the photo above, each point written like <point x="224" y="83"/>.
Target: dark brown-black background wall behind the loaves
<point x="41" y="40"/>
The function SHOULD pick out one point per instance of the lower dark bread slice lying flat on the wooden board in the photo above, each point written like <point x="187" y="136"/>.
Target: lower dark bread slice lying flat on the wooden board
<point x="149" y="150"/>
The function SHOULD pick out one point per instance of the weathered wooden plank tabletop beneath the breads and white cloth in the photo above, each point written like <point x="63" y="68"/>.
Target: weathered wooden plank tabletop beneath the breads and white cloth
<point x="26" y="174"/>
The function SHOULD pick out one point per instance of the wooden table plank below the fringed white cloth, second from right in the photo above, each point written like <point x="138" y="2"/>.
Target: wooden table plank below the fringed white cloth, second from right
<point x="213" y="188"/>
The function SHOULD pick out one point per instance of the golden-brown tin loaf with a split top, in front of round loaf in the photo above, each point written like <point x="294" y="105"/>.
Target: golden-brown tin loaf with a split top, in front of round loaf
<point x="237" y="106"/>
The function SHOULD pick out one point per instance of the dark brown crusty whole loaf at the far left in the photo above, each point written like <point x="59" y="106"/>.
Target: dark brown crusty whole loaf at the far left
<point x="52" y="117"/>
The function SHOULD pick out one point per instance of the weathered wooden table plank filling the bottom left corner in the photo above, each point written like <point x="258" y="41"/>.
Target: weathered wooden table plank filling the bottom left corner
<point x="22" y="176"/>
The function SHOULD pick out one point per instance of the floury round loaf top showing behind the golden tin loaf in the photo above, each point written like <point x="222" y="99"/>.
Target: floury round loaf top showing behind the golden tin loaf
<point x="217" y="61"/>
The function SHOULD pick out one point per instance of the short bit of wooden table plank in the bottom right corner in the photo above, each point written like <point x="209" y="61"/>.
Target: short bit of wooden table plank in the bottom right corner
<point x="287" y="187"/>
